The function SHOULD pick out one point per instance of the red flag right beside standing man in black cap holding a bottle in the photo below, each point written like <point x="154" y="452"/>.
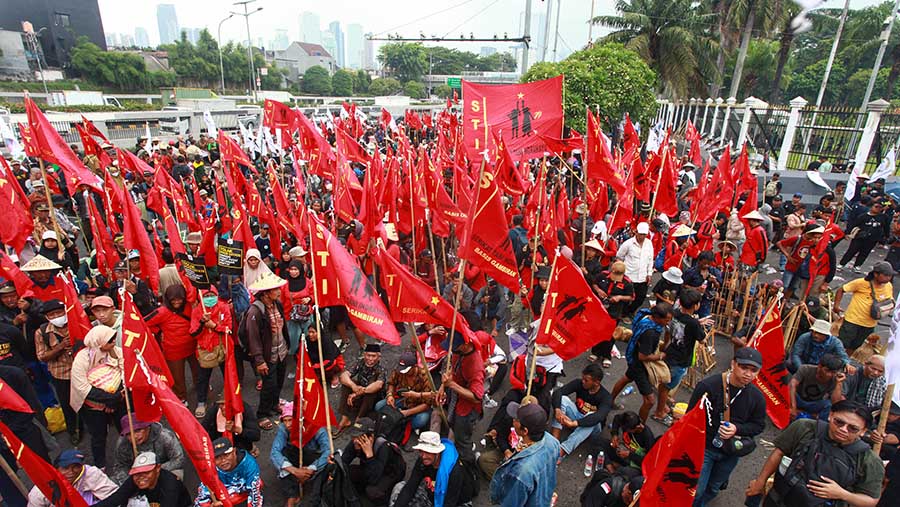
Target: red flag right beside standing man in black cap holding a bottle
<point x="773" y="378"/>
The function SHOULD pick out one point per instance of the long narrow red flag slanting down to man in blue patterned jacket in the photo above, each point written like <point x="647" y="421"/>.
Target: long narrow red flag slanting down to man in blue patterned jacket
<point x="192" y="436"/>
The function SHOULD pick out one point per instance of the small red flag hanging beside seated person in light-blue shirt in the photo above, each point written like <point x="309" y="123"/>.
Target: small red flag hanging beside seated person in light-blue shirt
<point x="310" y="413"/>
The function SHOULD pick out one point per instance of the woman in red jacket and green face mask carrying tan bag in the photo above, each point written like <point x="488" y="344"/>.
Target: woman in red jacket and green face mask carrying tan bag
<point x="210" y="321"/>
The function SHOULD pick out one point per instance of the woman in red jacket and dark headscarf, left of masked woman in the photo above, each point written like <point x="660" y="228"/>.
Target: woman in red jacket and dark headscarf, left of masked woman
<point x="173" y="321"/>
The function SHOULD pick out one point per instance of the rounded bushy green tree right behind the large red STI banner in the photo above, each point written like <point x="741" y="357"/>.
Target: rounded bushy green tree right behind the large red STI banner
<point x="608" y="76"/>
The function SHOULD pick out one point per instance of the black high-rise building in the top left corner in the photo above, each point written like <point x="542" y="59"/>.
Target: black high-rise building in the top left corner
<point x="62" y="21"/>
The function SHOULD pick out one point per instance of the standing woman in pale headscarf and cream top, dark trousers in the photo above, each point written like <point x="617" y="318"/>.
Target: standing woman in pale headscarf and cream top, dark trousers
<point x="97" y="389"/>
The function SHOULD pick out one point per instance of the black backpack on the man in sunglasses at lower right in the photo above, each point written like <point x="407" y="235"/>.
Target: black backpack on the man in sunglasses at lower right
<point x="816" y="459"/>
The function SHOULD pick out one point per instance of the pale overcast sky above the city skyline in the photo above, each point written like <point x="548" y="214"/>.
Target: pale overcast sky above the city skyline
<point x="484" y="18"/>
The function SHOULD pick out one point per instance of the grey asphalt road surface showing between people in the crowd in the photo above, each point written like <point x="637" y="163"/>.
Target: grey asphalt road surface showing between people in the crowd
<point x="570" y="479"/>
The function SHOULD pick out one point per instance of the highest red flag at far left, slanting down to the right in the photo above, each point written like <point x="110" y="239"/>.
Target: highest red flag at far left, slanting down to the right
<point x="53" y="149"/>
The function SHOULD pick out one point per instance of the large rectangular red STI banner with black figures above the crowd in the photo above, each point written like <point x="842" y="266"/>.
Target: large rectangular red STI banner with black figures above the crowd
<point x="517" y="111"/>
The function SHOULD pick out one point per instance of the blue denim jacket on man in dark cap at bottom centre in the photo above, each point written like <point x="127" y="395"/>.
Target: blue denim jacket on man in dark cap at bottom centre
<point x="528" y="478"/>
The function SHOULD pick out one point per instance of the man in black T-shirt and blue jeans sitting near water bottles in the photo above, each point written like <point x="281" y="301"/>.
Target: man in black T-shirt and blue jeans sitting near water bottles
<point x="586" y="414"/>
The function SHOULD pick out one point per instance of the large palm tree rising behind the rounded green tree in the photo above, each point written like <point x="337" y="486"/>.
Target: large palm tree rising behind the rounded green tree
<point x="672" y="37"/>
